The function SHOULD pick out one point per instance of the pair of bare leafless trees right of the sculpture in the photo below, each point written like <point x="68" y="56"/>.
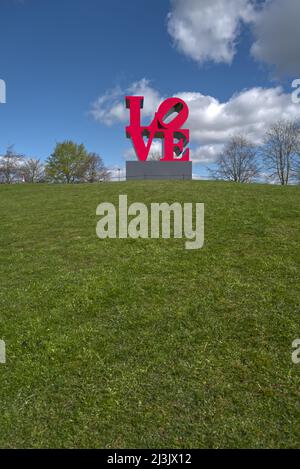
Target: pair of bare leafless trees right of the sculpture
<point x="277" y="158"/>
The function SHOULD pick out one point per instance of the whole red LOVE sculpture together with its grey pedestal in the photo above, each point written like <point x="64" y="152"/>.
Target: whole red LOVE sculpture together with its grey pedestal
<point x="167" y="125"/>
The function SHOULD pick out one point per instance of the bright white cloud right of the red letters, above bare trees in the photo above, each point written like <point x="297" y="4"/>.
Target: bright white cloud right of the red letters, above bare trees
<point x="213" y="123"/>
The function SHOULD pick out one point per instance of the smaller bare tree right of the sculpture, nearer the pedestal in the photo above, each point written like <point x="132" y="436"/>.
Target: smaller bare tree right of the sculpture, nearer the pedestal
<point x="238" y="161"/>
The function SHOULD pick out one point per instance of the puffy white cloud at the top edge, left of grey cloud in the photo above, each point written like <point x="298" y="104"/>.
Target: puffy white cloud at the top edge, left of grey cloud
<point x="207" y="30"/>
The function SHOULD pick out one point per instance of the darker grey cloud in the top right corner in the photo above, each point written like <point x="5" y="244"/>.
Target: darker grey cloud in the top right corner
<point x="277" y="34"/>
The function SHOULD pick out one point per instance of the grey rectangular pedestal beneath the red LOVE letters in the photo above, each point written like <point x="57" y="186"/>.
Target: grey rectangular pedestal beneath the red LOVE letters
<point x="178" y="170"/>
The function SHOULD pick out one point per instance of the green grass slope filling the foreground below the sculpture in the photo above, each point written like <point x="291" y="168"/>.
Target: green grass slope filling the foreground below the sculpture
<point x="123" y="343"/>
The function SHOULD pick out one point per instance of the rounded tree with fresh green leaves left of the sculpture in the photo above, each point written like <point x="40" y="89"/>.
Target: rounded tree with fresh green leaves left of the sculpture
<point x="68" y="163"/>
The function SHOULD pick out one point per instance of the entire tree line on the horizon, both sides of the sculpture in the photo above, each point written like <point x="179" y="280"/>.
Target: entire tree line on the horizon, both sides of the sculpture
<point x="277" y="158"/>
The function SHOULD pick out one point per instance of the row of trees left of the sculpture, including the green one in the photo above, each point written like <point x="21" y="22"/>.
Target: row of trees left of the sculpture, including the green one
<point x="70" y="163"/>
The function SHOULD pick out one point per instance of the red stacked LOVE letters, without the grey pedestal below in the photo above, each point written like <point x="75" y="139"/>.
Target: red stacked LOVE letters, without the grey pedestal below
<point x="175" y="138"/>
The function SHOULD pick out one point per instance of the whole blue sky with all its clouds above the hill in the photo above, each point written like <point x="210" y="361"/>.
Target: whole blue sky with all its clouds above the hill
<point x="68" y="65"/>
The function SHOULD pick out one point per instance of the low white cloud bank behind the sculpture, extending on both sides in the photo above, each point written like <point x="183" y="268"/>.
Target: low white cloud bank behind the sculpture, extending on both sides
<point x="211" y="122"/>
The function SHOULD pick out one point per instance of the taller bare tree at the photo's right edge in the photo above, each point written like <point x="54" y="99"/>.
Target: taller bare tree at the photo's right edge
<point x="280" y="148"/>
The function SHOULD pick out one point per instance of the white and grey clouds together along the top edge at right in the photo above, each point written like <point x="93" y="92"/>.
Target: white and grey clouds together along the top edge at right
<point x="208" y="30"/>
